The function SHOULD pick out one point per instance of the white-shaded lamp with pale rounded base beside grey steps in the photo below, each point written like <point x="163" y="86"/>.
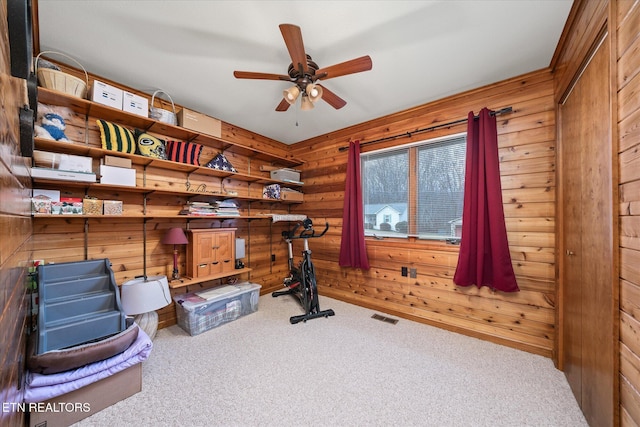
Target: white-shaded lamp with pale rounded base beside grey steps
<point x="141" y="297"/>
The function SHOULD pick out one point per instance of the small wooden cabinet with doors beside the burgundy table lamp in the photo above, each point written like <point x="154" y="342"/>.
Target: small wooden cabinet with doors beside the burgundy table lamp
<point x="211" y="252"/>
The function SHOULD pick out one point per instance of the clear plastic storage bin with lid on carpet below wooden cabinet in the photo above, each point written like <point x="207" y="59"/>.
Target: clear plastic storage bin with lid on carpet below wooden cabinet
<point x="198" y="312"/>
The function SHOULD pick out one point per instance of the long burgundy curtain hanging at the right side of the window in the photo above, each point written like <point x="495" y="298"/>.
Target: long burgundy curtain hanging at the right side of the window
<point x="484" y="251"/>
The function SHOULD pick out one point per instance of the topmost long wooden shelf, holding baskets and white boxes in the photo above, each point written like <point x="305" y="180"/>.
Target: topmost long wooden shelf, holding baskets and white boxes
<point x="89" y="108"/>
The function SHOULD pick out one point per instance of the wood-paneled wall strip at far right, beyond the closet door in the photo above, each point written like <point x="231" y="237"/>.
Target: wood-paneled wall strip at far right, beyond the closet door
<point x="626" y="15"/>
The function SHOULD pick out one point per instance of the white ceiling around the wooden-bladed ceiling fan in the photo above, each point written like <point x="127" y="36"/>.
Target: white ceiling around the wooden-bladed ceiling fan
<point x="421" y="51"/>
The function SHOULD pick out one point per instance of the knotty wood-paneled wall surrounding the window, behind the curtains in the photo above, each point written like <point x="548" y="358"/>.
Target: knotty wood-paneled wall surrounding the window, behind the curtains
<point x="523" y="320"/>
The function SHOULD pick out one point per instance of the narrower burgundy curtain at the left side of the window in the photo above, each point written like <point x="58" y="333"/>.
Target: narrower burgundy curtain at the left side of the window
<point x="353" y="252"/>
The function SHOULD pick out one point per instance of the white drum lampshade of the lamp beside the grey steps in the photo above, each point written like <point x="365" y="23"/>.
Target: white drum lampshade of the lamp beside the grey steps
<point x="143" y="295"/>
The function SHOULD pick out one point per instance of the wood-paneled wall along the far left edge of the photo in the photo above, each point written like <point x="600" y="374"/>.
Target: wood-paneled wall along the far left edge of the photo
<point x="15" y="232"/>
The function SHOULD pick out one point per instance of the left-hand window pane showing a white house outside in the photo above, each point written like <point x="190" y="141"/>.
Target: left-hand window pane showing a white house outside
<point x="385" y="192"/>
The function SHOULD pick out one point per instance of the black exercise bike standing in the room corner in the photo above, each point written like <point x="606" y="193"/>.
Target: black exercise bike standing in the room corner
<point x="301" y="282"/>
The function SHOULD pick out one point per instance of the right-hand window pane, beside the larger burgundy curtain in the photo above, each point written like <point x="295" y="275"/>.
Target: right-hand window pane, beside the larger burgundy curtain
<point x="441" y="188"/>
